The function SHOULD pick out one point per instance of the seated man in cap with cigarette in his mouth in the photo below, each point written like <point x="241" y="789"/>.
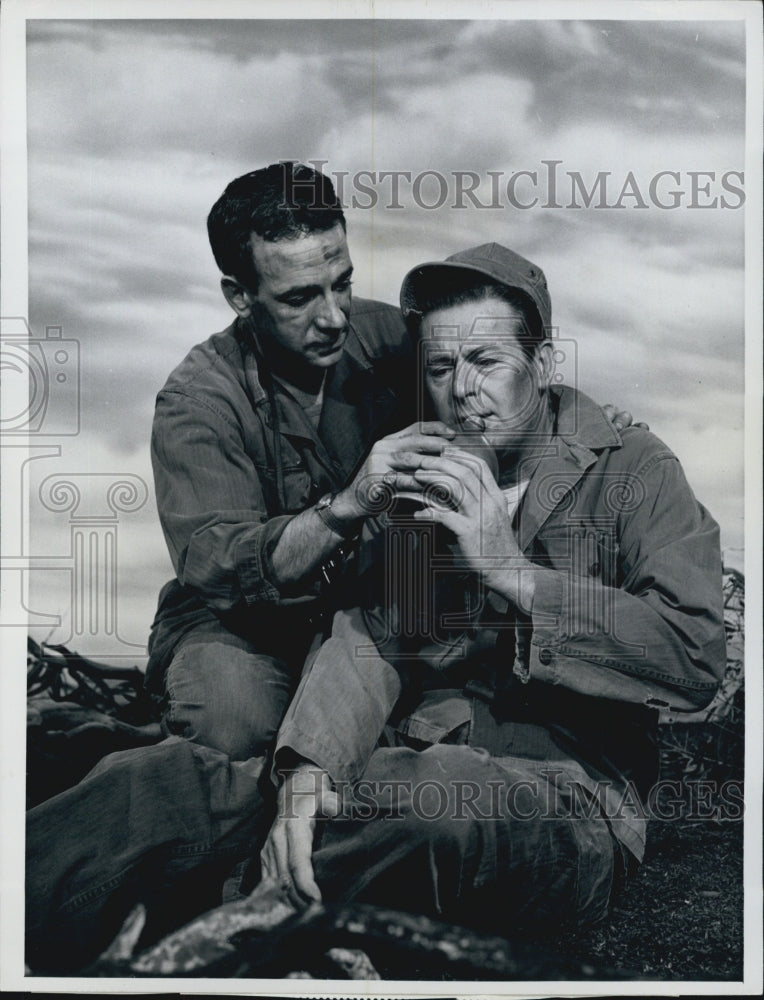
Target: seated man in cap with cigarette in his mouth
<point x="568" y="590"/>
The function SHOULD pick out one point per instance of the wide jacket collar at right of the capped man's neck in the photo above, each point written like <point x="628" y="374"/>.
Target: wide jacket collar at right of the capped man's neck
<point x="581" y="431"/>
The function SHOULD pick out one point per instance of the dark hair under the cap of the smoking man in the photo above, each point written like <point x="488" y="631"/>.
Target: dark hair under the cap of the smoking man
<point x="453" y="289"/>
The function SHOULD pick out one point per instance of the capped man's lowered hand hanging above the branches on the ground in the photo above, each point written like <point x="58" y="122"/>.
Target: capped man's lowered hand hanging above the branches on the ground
<point x="286" y="857"/>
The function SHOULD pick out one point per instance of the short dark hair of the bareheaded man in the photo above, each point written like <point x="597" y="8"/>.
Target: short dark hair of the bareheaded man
<point x="278" y="202"/>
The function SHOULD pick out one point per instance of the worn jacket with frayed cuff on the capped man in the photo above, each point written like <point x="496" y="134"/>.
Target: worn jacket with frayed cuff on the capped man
<point x="630" y="621"/>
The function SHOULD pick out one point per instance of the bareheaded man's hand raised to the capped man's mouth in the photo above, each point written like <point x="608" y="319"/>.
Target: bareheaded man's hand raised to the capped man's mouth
<point x="381" y="473"/>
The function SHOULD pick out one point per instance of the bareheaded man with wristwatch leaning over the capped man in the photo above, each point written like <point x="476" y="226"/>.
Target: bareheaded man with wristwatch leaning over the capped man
<point x="257" y="441"/>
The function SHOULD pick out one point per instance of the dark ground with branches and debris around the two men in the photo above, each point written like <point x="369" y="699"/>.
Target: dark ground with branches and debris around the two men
<point x="679" y="918"/>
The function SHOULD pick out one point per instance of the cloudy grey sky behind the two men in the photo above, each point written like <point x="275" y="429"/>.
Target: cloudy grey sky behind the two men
<point x="135" y="127"/>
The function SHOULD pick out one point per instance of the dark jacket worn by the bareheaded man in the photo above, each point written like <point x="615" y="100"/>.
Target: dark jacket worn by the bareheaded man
<point x="230" y="473"/>
